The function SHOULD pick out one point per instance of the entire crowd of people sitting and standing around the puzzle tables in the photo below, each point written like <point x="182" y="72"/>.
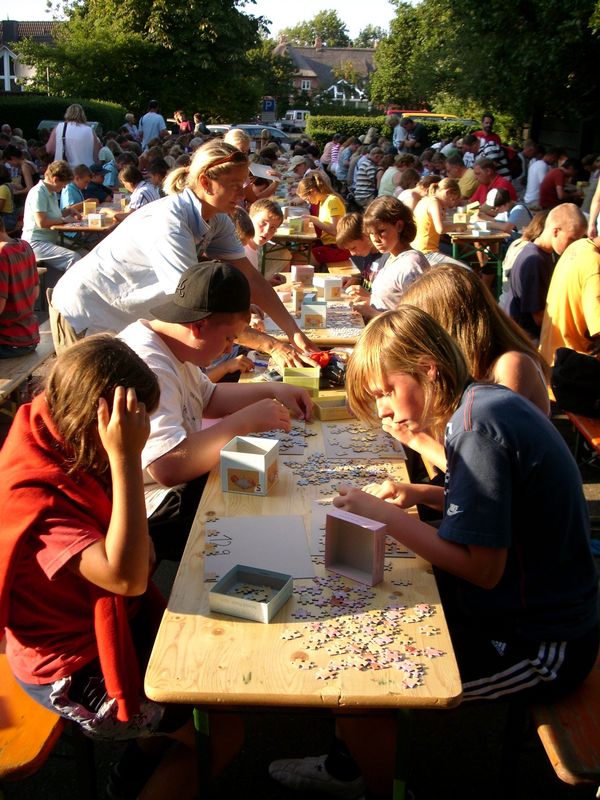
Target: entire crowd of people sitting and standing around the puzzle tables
<point x="104" y="470"/>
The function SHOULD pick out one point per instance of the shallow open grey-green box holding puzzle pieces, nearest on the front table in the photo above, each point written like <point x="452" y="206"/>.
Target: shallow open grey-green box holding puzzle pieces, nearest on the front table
<point x="251" y="593"/>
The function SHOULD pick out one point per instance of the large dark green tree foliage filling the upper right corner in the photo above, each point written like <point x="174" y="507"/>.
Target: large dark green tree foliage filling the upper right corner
<point x="524" y="58"/>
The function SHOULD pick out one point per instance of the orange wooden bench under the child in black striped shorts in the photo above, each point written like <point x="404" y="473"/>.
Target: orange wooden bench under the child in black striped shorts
<point x="569" y="729"/>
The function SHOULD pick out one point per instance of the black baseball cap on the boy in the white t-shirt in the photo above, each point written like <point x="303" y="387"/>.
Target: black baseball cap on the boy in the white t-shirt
<point x="209" y="287"/>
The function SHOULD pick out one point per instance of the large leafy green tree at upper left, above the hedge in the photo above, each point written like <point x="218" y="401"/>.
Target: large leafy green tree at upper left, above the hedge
<point x="191" y="55"/>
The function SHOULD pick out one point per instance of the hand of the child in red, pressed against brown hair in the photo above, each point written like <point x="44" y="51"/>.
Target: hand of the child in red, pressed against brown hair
<point x="124" y="431"/>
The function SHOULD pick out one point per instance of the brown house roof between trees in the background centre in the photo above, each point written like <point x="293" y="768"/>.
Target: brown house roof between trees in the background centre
<point x="320" y="61"/>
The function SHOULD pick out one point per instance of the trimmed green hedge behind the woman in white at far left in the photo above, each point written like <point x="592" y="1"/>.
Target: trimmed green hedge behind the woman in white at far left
<point x="26" y="111"/>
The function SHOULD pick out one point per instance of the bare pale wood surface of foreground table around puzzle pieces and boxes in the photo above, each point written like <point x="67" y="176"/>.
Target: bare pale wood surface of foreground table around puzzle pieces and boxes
<point x="212" y="660"/>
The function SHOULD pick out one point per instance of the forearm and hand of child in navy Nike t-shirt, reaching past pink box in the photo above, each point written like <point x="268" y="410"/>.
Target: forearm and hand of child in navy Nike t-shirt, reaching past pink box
<point x="482" y="566"/>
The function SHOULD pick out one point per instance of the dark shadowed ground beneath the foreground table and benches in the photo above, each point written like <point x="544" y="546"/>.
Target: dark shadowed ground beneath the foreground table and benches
<point x="455" y="754"/>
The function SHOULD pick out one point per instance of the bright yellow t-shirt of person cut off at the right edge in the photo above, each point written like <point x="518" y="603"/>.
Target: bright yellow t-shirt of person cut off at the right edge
<point x="572" y="314"/>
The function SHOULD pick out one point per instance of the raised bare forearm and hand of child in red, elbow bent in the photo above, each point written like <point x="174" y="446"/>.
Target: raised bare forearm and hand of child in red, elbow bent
<point x="120" y="562"/>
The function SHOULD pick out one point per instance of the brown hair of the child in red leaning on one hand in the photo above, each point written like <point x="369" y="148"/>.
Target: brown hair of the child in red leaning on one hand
<point x="85" y="372"/>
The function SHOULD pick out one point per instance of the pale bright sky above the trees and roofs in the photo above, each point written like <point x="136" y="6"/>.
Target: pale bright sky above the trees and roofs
<point x="283" y="15"/>
